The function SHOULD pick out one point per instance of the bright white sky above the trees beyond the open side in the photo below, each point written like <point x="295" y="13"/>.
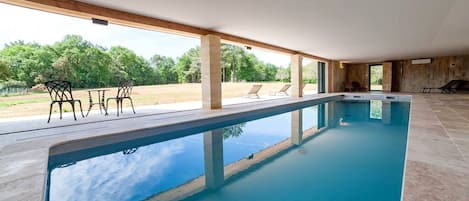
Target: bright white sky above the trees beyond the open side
<point x="47" y="28"/>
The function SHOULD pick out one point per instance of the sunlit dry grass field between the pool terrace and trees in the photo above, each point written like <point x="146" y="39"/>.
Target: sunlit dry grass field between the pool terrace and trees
<point x="38" y="103"/>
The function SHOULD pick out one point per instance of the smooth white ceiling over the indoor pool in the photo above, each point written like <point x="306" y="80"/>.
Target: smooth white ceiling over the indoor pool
<point x="347" y="30"/>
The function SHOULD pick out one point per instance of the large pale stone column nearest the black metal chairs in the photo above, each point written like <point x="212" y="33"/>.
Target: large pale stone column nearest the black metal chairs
<point x="210" y="56"/>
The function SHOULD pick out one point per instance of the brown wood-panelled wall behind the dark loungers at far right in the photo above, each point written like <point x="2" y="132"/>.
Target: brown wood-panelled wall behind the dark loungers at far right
<point x="412" y="78"/>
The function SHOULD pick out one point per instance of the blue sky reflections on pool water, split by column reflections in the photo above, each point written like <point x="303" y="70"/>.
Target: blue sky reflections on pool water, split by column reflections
<point x="140" y="172"/>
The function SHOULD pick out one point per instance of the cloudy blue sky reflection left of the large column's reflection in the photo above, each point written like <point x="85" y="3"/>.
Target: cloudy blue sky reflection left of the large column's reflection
<point x="133" y="176"/>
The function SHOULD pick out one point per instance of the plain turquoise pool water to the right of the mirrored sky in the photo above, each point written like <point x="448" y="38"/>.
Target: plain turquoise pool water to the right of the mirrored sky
<point x="353" y="158"/>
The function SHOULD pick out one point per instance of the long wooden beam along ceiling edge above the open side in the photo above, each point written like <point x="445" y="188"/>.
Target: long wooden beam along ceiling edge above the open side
<point x="88" y="11"/>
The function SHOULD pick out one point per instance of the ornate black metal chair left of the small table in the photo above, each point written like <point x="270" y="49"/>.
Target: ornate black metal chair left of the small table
<point x="61" y="92"/>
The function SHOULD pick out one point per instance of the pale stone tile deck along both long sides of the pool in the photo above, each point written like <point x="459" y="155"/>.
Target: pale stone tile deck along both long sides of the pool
<point x="437" y="165"/>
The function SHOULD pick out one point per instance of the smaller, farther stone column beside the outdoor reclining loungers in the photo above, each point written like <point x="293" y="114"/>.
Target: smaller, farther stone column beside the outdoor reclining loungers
<point x="296" y="76"/>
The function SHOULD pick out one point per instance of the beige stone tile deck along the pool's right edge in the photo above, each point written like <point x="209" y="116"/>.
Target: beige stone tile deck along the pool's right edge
<point x="438" y="148"/>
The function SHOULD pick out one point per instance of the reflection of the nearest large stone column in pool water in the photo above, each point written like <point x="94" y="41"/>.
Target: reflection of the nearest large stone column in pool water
<point x="213" y="158"/>
